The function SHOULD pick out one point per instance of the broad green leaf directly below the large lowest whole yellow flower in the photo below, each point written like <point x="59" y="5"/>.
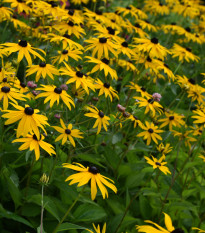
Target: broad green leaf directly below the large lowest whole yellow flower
<point x="89" y="213"/>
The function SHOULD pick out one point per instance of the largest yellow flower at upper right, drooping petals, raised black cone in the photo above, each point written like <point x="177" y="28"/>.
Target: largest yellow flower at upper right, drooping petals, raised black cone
<point x="152" y="47"/>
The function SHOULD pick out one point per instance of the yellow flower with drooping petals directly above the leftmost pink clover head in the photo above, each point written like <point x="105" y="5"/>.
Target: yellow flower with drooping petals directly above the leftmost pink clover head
<point x="43" y="70"/>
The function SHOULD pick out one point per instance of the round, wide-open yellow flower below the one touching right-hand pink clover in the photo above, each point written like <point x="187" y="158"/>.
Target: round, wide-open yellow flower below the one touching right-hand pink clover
<point x="150" y="133"/>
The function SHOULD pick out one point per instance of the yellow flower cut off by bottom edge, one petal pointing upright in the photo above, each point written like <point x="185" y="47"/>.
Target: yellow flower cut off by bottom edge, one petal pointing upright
<point x="158" y="229"/>
